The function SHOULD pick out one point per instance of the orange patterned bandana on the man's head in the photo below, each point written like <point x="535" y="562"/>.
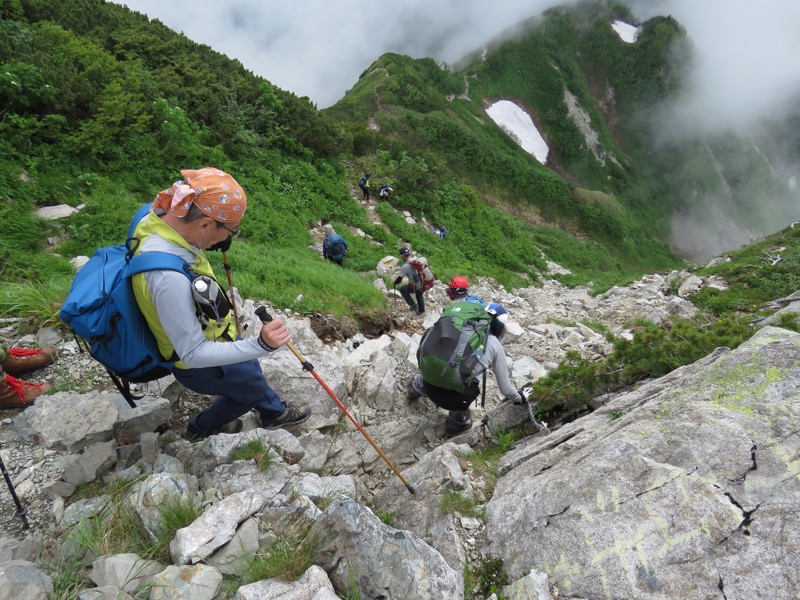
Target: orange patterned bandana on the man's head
<point x="214" y="192"/>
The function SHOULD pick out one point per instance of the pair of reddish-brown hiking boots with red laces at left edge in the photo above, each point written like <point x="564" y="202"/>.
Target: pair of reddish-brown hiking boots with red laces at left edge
<point x="19" y="393"/>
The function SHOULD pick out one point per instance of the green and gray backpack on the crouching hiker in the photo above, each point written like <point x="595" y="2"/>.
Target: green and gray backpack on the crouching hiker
<point x="451" y="348"/>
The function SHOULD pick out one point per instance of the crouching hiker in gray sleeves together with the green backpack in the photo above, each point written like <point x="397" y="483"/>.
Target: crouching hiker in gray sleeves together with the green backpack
<point x="448" y="388"/>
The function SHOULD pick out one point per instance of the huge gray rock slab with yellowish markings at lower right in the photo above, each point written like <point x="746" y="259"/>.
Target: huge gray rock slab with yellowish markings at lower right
<point x="684" y="496"/>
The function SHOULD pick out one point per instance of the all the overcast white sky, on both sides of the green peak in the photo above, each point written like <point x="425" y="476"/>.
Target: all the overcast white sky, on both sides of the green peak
<point x="749" y="54"/>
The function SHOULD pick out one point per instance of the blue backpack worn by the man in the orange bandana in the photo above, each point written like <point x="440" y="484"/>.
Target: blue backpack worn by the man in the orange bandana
<point x="102" y="310"/>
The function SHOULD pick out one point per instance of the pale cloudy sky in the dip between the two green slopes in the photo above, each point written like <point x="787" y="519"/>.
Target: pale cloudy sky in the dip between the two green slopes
<point x="319" y="49"/>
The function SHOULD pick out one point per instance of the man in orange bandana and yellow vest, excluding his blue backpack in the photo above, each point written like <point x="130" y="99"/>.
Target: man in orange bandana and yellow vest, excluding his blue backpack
<point x="203" y="211"/>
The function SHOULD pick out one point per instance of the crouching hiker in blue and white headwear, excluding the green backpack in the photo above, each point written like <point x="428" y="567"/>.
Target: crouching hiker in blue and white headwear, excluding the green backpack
<point x="459" y="418"/>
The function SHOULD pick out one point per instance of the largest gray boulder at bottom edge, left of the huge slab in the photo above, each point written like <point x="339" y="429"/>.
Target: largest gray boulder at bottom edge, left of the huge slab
<point x="356" y="548"/>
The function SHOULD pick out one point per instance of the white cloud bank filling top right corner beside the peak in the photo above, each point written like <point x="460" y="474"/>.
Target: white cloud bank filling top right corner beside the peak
<point x="747" y="63"/>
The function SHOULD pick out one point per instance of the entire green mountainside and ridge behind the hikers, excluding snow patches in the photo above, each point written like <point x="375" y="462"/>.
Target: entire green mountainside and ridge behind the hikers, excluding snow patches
<point x="103" y="107"/>
